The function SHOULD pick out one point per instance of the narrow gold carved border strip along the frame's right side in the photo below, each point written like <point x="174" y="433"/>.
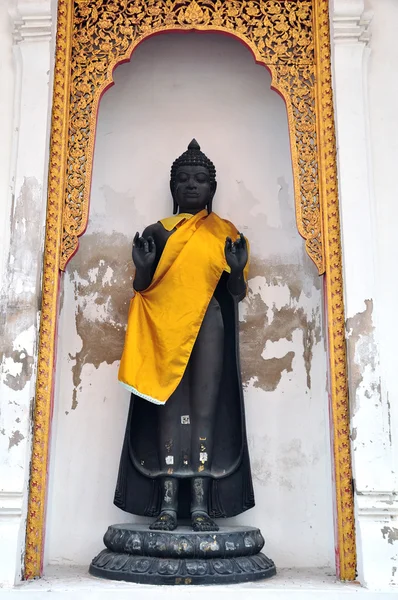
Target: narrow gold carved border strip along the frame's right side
<point x="334" y="292"/>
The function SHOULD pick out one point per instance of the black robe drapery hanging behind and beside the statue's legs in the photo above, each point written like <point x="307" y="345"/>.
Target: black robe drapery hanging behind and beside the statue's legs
<point x="138" y="489"/>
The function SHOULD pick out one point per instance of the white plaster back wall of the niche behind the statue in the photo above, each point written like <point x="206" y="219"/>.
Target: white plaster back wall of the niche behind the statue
<point x="177" y="87"/>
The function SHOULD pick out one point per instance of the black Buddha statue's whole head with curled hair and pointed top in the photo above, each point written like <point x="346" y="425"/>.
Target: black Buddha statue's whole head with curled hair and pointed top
<point x="192" y="181"/>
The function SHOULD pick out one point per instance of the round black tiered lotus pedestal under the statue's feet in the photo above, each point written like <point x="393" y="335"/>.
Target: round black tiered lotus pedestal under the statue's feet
<point x="136" y="553"/>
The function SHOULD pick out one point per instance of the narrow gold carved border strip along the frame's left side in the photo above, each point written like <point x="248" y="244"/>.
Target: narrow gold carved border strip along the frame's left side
<point x="50" y="289"/>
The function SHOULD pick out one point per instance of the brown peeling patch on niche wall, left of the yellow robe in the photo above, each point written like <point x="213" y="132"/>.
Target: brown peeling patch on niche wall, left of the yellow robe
<point x="102" y="339"/>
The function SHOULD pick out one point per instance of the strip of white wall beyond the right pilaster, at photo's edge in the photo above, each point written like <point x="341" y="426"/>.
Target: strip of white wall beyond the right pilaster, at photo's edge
<point x="383" y="94"/>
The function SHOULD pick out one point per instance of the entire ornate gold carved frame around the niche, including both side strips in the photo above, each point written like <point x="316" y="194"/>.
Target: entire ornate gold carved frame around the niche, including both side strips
<point x="291" y="39"/>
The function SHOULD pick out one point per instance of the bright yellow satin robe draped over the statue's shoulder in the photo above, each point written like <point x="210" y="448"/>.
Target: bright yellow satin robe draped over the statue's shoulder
<point x="164" y="320"/>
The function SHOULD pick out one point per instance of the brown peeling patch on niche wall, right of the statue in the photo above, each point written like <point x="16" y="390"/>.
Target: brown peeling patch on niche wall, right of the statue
<point x="255" y="330"/>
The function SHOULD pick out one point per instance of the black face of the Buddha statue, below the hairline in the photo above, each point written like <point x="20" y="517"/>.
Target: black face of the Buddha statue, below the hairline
<point x="193" y="188"/>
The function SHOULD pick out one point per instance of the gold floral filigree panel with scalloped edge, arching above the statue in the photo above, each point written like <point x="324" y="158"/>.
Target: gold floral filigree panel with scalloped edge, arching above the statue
<point x="280" y="35"/>
